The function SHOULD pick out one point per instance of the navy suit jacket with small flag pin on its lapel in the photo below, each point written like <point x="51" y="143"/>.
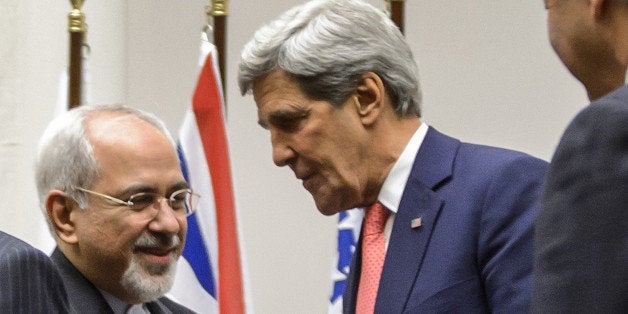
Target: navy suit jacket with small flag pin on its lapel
<point x="473" y="252"/>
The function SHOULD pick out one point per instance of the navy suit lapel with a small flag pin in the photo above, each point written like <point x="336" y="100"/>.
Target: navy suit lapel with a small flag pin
<point x="408" y="242"/>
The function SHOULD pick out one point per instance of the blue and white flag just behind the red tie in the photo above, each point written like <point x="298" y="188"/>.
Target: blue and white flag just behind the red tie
<point x="349" y="224"/>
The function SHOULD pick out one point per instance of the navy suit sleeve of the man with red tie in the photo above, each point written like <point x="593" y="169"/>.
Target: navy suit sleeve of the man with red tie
<point x="506" y="234"/>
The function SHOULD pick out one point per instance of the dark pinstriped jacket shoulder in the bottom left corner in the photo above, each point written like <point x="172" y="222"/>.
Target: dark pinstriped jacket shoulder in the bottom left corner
<point x="29" y="282"/>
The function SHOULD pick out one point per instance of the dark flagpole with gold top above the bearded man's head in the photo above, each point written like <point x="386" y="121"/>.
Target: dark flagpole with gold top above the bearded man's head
<point x="76" y="28"/>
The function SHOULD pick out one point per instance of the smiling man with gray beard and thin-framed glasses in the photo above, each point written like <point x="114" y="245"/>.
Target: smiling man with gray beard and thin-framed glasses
<point x="109" y="181"/>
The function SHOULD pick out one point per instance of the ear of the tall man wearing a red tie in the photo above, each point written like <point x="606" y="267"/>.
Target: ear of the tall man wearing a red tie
<point x="370" y="97"/>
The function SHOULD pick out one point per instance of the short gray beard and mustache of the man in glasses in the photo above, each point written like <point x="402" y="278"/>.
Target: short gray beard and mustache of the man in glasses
<point x="146" y="281"/>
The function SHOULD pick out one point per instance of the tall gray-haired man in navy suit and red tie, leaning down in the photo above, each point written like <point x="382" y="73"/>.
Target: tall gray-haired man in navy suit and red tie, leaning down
<point x="448" y="225"/>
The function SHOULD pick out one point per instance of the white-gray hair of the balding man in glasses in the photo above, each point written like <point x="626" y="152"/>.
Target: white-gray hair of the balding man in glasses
<point x="65" y="157"/>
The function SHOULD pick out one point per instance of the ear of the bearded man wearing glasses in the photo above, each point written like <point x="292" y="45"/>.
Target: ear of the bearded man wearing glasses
<point x="59" y="208"/>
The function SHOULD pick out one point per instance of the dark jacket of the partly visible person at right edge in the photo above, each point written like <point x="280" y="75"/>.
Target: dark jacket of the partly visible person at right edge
<point x="581" y="253"/>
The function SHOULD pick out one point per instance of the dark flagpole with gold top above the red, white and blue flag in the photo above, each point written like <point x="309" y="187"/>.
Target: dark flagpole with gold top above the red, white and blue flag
<point x="219" y="12"/>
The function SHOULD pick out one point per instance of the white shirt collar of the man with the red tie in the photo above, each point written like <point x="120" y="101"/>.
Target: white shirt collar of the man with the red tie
<point x="395" y="183"/>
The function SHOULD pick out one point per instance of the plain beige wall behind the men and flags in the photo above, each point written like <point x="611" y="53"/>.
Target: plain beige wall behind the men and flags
<point x="487" y="71"/>
